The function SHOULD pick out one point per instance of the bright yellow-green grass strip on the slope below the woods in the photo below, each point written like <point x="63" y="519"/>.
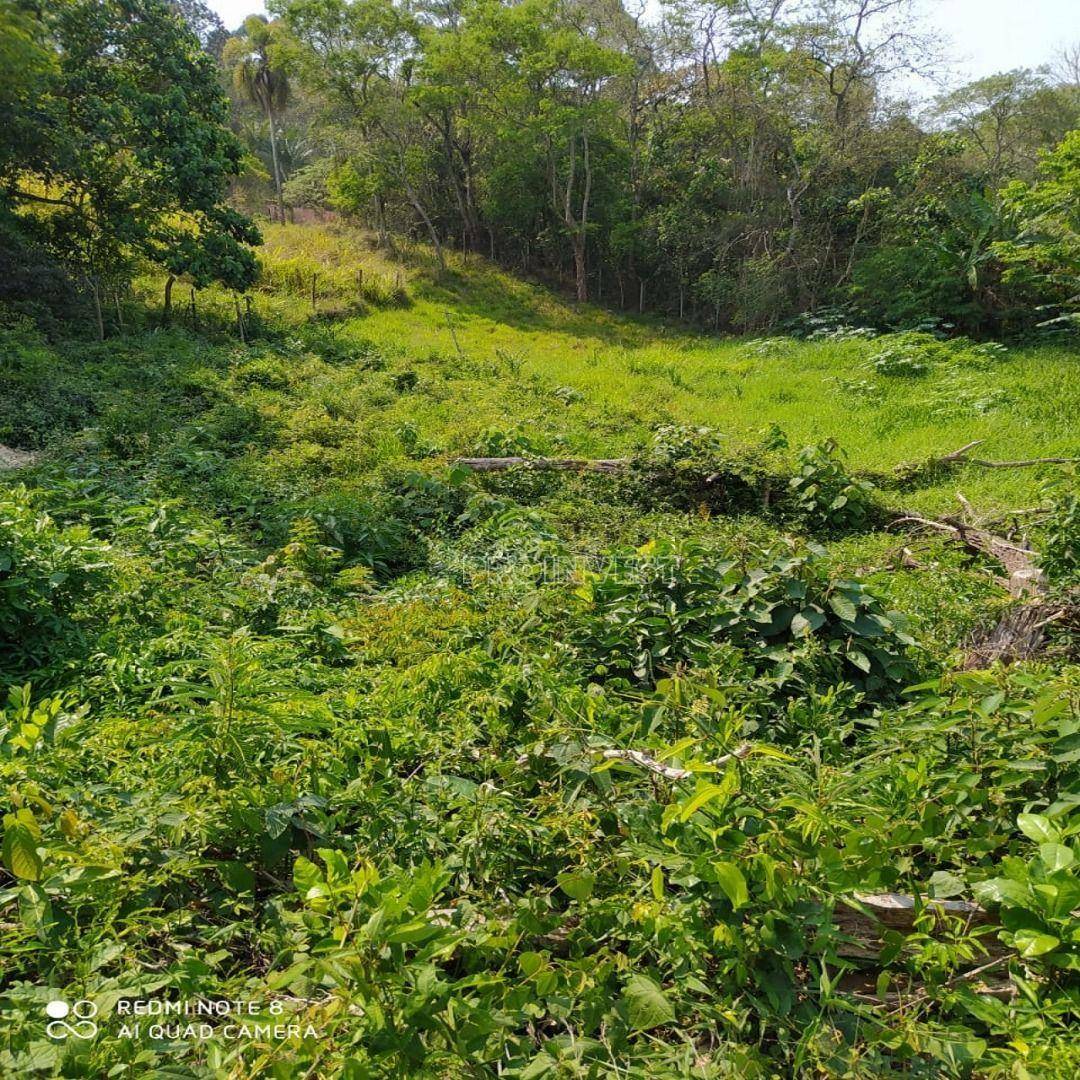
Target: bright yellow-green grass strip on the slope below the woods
<point x="521" y="347"/>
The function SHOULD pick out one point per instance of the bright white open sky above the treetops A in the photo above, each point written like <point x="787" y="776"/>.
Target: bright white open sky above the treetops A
<point x="980" y="36"/>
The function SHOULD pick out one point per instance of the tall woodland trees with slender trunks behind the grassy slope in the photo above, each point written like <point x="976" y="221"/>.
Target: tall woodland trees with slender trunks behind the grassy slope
<point x="736" y="164"/>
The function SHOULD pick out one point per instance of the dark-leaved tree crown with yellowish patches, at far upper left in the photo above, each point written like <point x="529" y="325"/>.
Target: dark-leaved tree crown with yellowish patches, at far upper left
<point x="119" y="150"/>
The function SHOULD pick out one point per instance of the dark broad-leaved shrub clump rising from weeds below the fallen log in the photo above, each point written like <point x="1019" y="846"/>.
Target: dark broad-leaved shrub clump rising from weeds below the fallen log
<point x="666" y="606"/>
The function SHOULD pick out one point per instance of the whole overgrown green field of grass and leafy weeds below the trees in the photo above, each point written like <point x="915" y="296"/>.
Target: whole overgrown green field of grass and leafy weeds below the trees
<point x="302" y="714"/>
